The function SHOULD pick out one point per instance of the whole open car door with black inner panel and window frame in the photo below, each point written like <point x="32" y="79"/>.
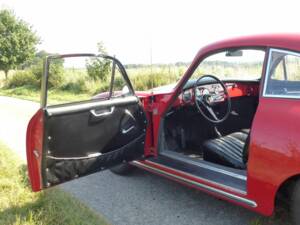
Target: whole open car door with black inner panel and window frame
<point x="77" y="138"/>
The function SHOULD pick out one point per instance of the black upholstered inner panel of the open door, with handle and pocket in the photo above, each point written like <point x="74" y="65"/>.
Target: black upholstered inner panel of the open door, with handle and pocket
<point x="88" y="139"/>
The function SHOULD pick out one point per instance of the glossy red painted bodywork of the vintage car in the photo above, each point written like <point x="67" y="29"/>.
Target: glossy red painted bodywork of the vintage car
<point x="274" y="158"/>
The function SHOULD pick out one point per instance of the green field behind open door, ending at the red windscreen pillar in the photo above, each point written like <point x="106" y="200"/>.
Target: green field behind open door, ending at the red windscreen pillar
<point x="77" y="86"/>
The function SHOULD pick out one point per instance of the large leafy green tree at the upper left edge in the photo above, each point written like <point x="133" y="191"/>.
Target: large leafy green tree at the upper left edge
<point x="17" y="41"/>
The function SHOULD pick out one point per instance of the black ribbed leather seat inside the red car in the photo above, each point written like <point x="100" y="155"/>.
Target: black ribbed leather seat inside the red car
<point x="230" y="150"/>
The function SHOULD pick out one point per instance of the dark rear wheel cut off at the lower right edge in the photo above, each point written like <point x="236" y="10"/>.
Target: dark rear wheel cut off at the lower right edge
<point x="295" y="202"/>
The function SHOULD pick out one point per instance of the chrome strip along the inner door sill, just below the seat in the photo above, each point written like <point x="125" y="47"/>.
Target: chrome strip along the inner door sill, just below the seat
<point x="200" y="164"/>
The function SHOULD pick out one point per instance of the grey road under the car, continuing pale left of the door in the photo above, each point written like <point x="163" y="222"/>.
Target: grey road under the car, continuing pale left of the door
<point x="141" y="198"/>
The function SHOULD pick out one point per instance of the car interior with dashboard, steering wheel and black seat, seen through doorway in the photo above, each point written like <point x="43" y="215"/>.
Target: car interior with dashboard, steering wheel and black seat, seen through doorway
<point x="198" y="136"/>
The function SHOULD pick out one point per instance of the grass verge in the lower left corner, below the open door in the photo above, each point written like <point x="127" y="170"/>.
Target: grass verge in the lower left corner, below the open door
<point x="19" y="205"/>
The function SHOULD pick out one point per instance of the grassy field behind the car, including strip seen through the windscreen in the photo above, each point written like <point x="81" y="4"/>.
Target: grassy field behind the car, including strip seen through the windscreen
<point x="76" y="85"/>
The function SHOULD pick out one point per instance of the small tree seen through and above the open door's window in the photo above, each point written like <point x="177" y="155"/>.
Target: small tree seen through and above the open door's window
<point x="98" y="68"/>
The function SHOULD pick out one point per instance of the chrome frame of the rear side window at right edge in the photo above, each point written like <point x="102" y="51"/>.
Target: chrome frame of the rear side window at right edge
<point x="268" y="71"/>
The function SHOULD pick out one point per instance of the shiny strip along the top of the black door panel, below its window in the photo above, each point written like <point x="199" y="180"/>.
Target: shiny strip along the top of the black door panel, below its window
<point x="82" y="106"/>
